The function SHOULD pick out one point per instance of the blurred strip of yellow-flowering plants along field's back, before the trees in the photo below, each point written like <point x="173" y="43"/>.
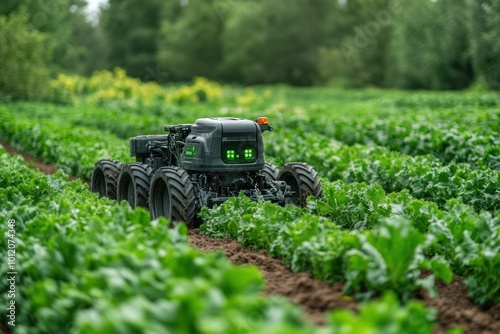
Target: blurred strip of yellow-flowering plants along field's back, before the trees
<point x="116" y="88"/>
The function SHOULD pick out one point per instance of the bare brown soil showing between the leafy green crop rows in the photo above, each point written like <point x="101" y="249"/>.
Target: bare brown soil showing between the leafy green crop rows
<point x="315" y="297"/>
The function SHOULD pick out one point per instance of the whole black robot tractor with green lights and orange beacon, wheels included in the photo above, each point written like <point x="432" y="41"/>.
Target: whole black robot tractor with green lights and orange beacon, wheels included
<point x="202" y="164"/>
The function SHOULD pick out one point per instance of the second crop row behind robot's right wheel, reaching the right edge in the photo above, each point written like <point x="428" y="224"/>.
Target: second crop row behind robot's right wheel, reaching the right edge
<point x="448" y="142"/>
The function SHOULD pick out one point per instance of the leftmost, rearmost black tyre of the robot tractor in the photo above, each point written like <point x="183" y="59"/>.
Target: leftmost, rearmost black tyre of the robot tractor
<point x="105" y="178"/>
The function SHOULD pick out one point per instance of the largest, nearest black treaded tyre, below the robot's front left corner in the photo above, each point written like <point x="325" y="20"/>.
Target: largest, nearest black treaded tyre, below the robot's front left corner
<point x="173" y="196"/>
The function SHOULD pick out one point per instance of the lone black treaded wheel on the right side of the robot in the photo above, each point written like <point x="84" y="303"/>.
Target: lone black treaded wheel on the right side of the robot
<point x="303" y="180"/>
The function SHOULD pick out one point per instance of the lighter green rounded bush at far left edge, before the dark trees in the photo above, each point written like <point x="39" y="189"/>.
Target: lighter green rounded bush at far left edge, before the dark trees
<point x="25" y="56"/>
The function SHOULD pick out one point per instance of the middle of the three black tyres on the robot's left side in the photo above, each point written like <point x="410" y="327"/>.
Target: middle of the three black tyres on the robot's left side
<point x="133" y="184"/>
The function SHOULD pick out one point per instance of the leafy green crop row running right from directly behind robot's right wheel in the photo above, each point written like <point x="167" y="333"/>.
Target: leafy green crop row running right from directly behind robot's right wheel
<point x="425" y="177"/>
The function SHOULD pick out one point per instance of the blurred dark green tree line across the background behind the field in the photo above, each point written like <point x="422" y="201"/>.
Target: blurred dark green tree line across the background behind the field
<point x="408" y="44"/>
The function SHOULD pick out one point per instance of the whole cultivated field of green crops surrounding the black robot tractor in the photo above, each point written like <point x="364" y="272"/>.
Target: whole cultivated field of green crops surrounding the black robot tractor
<point x="410" y="209"/>
